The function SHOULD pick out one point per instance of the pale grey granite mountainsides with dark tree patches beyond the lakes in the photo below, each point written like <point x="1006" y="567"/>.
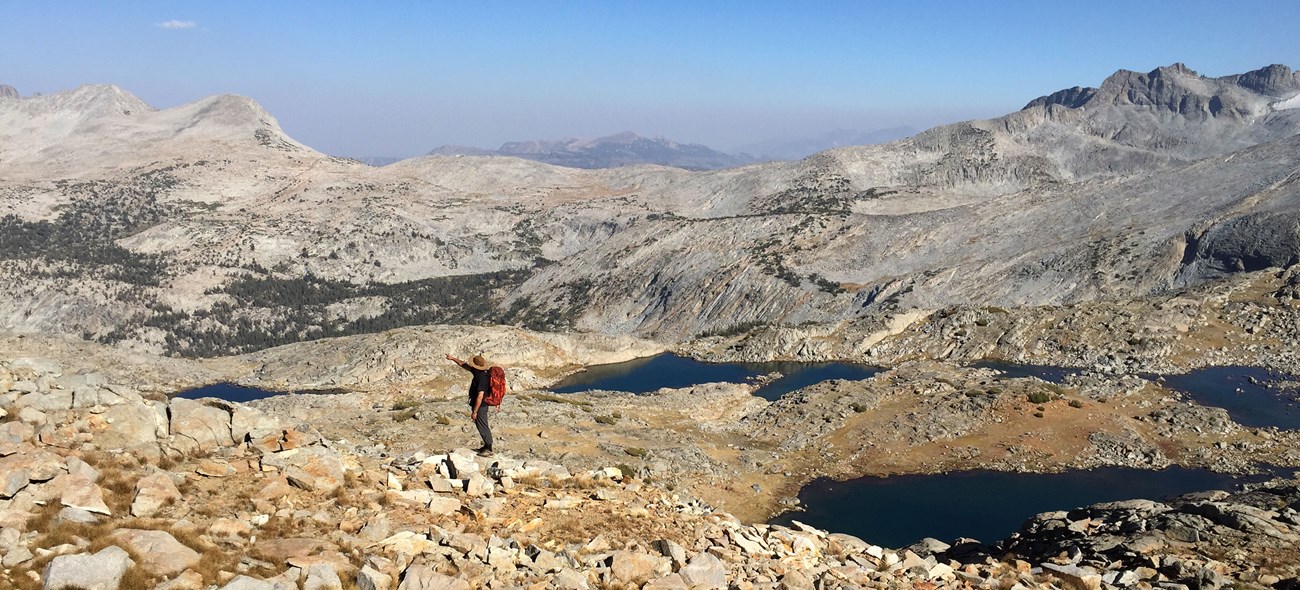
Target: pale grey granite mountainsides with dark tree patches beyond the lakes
<point x="203" y="229"/>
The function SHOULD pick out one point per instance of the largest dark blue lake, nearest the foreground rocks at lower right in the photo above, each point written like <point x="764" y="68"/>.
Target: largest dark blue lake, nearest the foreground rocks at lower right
<point x="986" y="506"/>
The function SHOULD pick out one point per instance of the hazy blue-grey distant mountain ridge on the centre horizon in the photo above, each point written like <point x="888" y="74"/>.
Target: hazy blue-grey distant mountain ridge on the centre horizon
<point x="613" y="151"/>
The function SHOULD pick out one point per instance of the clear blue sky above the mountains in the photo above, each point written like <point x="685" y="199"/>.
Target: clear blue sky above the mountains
<point x="401" y="79"/>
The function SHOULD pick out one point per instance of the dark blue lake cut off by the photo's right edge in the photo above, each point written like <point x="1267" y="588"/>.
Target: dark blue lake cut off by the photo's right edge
<point x="1247" y="404"/>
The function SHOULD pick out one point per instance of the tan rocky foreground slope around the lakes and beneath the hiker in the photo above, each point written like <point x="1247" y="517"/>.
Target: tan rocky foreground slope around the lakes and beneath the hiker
<point x="110" y="484"/>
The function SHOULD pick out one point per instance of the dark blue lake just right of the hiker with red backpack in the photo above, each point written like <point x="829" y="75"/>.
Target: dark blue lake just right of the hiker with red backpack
<point x="648" y="375"/>
